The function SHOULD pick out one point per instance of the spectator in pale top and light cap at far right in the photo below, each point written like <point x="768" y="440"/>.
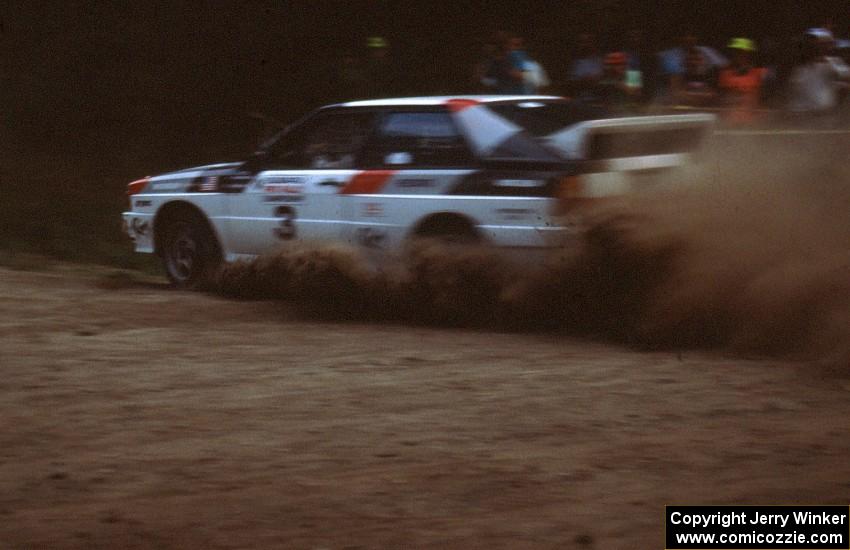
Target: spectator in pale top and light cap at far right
<point x="816" y="83"/>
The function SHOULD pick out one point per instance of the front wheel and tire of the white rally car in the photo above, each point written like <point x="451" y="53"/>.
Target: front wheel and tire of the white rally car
<point x="190" y="253"/>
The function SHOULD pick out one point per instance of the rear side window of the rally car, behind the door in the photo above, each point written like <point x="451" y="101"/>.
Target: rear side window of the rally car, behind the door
<point x="421" y="139"/>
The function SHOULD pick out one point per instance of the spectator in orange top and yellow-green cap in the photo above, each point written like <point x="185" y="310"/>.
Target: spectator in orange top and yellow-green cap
<point x="740" y="83"/>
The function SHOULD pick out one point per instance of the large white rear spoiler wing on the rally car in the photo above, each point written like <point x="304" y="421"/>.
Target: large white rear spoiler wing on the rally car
<point x="633" y="143"/>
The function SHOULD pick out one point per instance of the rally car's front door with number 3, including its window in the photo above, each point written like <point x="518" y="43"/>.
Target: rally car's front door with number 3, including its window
<point x="295" y="192"/>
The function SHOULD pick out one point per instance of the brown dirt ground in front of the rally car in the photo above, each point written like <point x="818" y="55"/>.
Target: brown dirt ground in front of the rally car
<point x="143" y="417"/>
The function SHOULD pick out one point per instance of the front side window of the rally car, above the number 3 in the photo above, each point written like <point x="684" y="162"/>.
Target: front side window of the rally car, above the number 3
<point x="331" y="140"/>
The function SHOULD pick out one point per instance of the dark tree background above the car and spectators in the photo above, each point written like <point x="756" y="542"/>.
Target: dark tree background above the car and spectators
<point x="166" y="84"/>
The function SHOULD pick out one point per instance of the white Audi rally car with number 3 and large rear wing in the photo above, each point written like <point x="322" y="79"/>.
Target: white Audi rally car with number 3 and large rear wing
<point x="378" y="173"/>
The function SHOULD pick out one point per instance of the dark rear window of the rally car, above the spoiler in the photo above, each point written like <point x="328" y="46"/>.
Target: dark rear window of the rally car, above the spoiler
<point x="543" y="118"/>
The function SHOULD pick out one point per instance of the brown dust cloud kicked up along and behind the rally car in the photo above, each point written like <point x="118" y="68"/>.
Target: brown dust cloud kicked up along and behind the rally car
<point x="750" y="250"/>
